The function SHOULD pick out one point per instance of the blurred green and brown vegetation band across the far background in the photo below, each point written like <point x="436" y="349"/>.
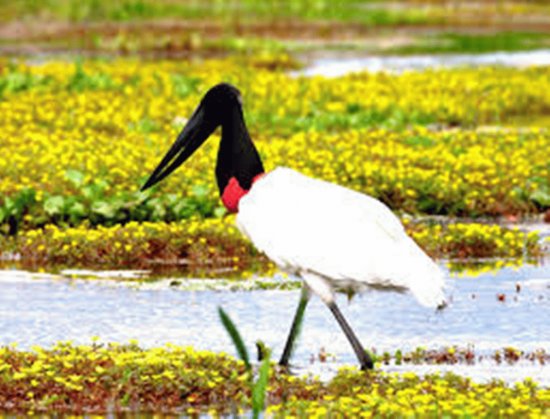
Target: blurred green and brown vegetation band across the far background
<point x="188" y="27"/>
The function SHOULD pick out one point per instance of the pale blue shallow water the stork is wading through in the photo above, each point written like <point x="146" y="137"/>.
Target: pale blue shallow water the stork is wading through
<point x="42" y="309"/>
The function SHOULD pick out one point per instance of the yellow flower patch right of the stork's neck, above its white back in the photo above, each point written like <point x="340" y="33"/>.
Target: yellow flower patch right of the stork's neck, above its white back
<point x="464" y="172"/>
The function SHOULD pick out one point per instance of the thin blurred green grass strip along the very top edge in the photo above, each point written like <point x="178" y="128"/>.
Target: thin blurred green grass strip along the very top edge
<point x="247" y="10"/>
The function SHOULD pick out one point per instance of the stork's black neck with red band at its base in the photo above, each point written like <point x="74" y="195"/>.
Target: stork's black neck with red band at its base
<point x="239" y="164"/>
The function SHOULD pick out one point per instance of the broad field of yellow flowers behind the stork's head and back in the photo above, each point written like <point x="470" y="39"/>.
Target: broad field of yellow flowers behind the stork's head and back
<point x="84" y="136"/>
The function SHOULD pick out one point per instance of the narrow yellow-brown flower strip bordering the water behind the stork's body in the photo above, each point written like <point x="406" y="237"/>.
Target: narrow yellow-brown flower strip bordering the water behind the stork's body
<point x="215" y="247"/>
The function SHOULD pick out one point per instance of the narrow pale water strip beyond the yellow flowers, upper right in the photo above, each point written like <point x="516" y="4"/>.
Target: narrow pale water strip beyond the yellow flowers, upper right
<point x="338" y="64"/>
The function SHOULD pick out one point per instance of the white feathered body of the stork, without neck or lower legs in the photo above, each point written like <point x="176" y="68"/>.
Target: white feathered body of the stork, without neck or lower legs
<point x="335" y="238"/>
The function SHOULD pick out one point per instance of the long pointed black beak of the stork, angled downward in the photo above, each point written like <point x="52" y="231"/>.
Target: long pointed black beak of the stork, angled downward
<point x="197" y="130"/>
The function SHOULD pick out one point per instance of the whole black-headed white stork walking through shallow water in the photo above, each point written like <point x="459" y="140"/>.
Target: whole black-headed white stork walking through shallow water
<point x="335" y="239"/>
